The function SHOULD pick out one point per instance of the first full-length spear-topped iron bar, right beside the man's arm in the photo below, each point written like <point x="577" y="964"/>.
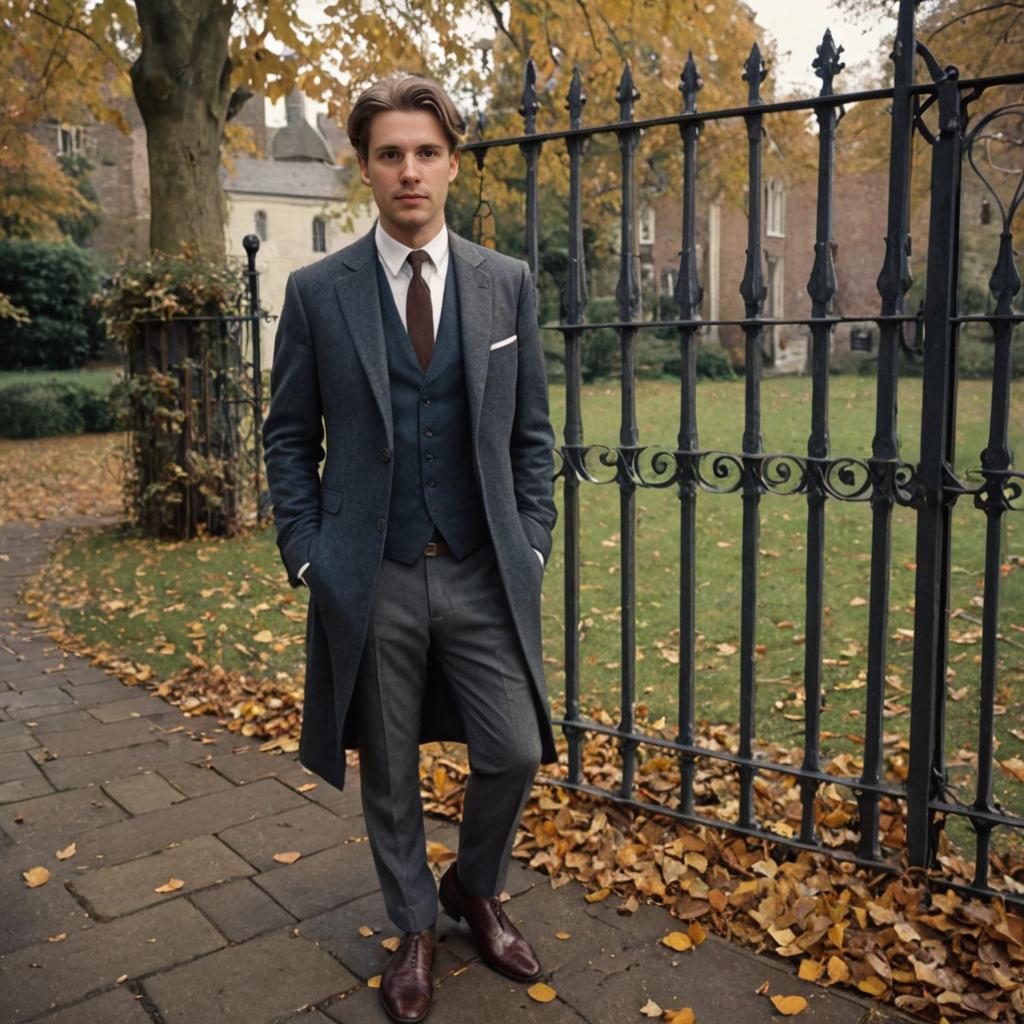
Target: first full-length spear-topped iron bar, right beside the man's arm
<point x="575" y="304"/>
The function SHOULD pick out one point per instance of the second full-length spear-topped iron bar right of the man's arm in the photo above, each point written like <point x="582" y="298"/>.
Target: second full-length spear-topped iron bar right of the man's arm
<point x="628" y="293"/>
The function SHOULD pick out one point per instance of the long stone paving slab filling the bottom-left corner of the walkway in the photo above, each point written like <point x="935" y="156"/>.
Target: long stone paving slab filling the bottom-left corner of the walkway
<point x="52" y="975"/>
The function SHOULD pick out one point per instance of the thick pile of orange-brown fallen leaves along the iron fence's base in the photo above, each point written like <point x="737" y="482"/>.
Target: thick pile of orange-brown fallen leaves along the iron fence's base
<point x="934" y="954"/>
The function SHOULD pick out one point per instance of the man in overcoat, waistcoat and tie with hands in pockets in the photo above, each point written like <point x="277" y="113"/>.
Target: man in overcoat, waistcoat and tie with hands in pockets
<point x="423" y="544"/>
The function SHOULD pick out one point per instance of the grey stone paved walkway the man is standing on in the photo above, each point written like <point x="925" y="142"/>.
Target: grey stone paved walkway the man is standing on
<point x="147" y="794"/>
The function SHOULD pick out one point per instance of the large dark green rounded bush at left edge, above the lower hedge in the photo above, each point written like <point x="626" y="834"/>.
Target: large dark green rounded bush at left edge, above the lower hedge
<point x="54" y="284"/>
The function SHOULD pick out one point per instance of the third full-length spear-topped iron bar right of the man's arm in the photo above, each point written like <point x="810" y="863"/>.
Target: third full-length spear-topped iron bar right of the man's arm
<point x="689" y="296"/>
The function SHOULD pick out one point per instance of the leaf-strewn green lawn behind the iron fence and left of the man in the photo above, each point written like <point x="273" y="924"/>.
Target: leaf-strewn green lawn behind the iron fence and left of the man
<point x="157" y="602"/>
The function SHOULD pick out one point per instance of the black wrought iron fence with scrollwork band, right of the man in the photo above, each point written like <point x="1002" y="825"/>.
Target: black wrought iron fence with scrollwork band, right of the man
<point x="930" y="488"/>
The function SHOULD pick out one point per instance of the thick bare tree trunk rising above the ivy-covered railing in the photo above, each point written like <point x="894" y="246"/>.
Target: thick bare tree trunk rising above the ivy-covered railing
<point x="182" y="82"/>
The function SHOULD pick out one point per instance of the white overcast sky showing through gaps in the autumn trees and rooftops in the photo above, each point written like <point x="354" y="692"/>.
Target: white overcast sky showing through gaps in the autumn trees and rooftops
<point x="797" y="26"/>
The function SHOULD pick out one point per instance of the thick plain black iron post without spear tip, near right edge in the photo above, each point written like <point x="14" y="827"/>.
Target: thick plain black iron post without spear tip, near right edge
<point x="938" y="420"/>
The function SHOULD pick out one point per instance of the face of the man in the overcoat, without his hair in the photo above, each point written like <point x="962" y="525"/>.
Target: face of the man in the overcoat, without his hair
<point x="409" y="169"/>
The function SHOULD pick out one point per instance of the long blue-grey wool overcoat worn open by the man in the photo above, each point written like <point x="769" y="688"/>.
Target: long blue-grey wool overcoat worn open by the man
<point x="330" y="363"/>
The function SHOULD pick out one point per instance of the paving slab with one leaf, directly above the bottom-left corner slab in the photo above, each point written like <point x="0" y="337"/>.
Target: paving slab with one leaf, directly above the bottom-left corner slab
<point x="111" y="892"/>
